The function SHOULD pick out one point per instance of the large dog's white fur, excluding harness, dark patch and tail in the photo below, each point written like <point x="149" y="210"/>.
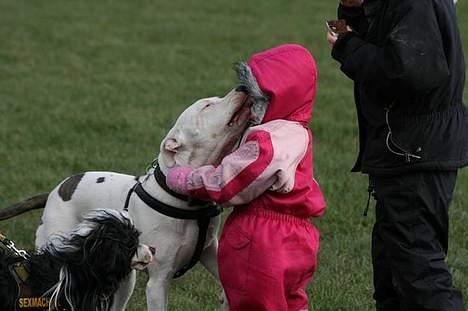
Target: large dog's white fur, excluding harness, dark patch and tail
<point x="203" y="133"/>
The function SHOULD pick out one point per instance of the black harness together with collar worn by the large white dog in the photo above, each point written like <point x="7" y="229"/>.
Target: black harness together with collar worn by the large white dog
<point x="202" y="215"/>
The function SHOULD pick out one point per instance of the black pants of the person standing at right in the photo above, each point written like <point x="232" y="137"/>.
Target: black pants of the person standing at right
<point x="410" y="243"/>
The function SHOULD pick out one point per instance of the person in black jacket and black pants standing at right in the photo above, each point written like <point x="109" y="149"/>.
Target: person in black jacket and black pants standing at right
<point x="406" y="60"/>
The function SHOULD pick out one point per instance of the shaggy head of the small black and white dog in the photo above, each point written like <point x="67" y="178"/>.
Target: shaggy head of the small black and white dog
<point x="95" y="257"/>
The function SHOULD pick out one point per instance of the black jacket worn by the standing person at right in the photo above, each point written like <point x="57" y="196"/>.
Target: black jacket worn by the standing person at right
<point x="406" y="60"/>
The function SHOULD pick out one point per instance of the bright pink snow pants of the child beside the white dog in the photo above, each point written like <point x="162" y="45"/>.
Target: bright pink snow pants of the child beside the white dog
<point x="266" y="260"/>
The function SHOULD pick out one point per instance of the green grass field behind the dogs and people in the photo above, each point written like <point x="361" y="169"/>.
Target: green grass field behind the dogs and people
<point x="95" y="85"/>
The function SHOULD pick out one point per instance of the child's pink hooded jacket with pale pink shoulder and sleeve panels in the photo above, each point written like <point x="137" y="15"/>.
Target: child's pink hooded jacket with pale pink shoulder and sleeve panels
<point x="273" y="166"/>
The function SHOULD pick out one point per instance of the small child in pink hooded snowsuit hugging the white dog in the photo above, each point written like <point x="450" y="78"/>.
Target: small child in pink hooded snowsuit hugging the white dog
<point x="268" y="247"/>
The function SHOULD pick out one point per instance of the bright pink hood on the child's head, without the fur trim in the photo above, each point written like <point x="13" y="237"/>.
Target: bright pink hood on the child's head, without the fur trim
<point x="288" y="75"/>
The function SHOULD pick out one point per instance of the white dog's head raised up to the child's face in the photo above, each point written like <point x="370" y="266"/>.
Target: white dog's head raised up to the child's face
<point x="206" y="130"/>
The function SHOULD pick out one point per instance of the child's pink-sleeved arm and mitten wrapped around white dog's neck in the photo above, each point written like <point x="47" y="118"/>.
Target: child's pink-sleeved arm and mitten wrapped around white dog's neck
<point x="242" y="176"/>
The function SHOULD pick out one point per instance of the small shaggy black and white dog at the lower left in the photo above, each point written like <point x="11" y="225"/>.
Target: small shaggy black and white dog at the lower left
<point x="80" y="270"/>
